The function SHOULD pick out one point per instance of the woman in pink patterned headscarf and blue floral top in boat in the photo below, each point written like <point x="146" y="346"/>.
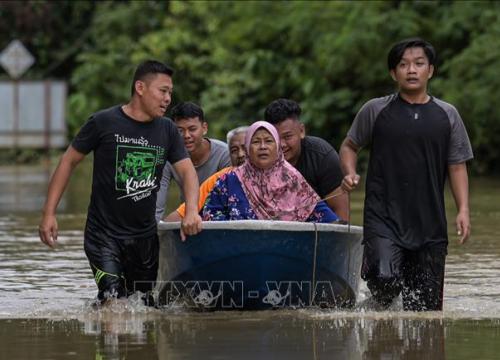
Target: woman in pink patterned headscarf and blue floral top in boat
<point x="265" y="187"/>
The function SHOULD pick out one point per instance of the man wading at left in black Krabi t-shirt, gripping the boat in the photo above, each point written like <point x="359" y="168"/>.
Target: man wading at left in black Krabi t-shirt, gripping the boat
<point x="131" y="144"/>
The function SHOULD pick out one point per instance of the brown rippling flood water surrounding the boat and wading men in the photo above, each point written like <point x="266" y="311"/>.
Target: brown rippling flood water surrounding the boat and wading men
<point x="45" y="296"/>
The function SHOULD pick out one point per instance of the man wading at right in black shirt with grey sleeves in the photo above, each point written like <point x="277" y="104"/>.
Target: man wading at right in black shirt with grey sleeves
<point x="416" y="141"/>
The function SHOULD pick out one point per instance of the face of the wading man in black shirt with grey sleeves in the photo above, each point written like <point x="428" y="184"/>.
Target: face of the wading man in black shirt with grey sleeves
<point x="413" y="71"/>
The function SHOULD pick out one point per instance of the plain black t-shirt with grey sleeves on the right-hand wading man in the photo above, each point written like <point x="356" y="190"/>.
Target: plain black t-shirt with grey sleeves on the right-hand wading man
<point x="411" y="148"/>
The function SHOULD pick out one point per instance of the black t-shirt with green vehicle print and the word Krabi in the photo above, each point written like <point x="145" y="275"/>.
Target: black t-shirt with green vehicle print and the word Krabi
<point x="129" y="157"/>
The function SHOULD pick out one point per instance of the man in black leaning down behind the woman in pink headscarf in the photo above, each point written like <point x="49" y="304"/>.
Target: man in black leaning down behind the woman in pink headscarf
<point x="315" y="158"/>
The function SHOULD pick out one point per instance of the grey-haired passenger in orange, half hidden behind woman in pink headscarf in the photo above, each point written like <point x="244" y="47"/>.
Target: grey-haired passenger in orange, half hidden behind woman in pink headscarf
<point x="237" y="153"/>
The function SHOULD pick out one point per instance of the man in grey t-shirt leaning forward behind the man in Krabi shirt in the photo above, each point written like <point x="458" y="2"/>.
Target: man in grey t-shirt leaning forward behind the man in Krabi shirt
<point x="208" y="155"/>
